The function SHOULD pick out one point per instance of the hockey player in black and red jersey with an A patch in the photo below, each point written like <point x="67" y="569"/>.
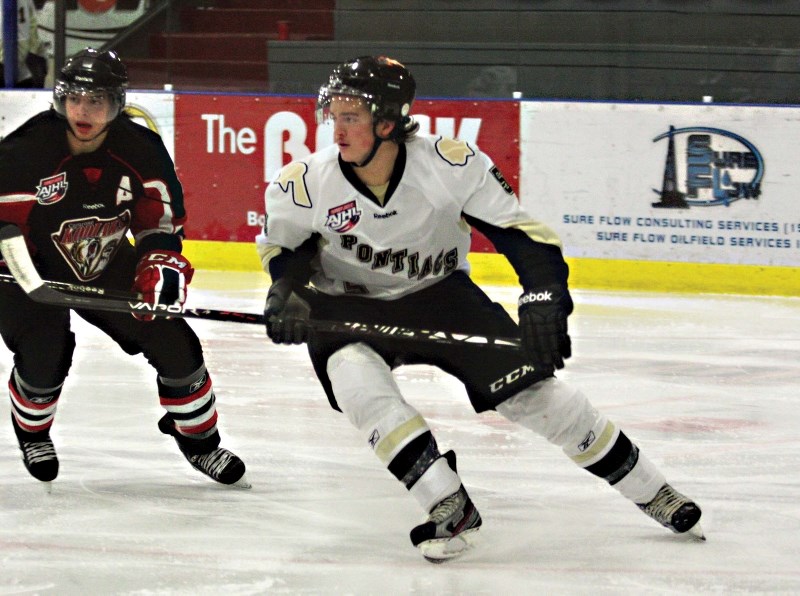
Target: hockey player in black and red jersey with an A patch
<point x="76" y="179"/>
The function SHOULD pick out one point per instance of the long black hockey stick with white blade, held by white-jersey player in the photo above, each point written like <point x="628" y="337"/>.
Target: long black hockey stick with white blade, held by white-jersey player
<point x="69" y="295"/>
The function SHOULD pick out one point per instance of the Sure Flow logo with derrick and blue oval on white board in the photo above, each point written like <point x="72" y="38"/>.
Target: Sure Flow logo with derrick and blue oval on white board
<point x="706" y="167"/>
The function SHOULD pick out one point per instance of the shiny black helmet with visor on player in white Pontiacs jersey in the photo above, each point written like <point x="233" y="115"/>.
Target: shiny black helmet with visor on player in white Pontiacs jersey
<point x="383" y="83"/>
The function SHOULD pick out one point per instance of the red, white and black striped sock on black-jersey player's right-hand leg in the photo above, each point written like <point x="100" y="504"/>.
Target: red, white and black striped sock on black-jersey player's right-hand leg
<point x="191" y="411"/>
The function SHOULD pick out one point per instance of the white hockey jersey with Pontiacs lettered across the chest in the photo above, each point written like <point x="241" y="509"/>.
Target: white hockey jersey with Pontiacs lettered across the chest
<point x="411" y="241"/>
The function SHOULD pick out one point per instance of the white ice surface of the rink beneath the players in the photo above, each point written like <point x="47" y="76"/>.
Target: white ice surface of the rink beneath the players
<point x="707" y="385"/>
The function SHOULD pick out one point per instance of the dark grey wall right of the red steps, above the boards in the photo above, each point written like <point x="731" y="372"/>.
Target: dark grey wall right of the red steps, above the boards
<point x="665" y="50"/>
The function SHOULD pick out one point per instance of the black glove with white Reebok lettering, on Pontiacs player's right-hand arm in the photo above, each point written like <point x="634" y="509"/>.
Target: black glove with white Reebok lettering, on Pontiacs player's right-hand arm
<point x="543" y="325"/>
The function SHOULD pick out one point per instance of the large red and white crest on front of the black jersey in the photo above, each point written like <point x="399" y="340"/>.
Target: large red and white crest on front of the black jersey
<point x="88" y="245"/>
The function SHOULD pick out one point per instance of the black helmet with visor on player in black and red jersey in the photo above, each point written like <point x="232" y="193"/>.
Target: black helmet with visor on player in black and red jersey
<point x="92" y="71"/>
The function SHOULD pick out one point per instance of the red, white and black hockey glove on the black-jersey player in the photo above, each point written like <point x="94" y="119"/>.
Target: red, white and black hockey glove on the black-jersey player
<point x="161" y="278"/>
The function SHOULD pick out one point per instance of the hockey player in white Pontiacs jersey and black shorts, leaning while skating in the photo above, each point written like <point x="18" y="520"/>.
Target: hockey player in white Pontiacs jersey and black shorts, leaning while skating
<point x="376" y="228"/>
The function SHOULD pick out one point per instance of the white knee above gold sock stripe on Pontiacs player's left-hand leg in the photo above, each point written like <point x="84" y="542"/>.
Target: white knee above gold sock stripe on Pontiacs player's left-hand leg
<point x="362" y="383"/>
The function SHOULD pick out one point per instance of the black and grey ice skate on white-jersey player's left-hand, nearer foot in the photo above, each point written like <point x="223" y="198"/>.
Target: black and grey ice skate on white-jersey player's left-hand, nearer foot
<point x="451" y="528"/>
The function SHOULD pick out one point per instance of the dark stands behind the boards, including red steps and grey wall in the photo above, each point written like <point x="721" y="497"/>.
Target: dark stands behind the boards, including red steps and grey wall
<point x="745" y="51"/>
